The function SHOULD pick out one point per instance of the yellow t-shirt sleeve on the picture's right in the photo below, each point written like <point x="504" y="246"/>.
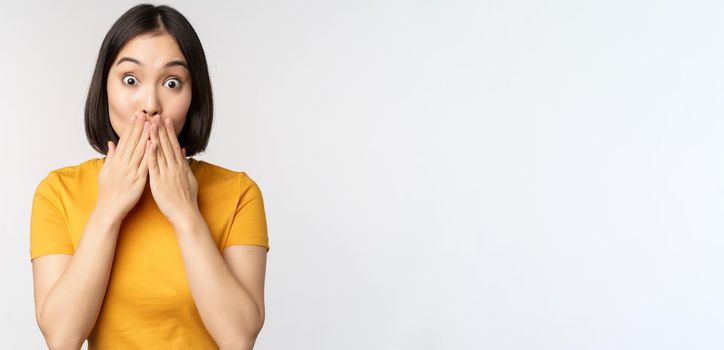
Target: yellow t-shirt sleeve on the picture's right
<point x="249" y="223"/>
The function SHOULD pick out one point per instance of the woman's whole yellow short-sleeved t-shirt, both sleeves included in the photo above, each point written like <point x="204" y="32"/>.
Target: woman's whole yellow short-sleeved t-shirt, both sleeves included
<point x="148" y="303"/>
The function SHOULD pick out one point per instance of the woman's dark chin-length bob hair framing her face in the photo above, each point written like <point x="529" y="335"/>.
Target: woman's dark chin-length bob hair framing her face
<point x="152" y="20"/>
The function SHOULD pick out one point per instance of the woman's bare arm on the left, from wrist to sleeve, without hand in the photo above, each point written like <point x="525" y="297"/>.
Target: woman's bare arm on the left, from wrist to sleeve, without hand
<point x="67" y="301"/>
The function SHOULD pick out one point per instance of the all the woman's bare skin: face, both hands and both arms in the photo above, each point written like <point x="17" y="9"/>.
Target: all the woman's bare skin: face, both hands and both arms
<point x="148" y="111"/>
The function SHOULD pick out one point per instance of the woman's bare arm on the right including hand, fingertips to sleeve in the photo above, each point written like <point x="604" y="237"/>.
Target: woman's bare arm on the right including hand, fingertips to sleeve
<point x="231" y="309"/>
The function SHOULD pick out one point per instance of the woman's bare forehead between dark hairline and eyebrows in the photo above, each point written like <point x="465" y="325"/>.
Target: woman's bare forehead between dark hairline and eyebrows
<point x="154" y="50"/>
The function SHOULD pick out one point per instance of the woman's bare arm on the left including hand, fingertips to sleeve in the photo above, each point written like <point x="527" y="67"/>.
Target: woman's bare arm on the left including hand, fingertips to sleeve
<point x="68" y="312"/>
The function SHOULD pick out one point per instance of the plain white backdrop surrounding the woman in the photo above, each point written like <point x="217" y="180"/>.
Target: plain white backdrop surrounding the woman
<point x="437" y="174"/>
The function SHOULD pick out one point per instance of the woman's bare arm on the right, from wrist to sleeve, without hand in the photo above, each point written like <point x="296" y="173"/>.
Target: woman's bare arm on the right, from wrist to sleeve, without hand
<point x="231" y="307"/>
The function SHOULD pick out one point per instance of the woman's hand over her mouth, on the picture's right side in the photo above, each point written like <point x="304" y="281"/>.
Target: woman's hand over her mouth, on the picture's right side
<point x="172" y="182"/>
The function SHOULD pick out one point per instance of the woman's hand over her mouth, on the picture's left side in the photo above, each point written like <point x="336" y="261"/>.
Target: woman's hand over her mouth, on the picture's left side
<point x="125" y="171"/>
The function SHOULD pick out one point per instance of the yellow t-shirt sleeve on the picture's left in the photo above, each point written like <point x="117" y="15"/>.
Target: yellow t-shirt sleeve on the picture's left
<point x="48" y="228"/>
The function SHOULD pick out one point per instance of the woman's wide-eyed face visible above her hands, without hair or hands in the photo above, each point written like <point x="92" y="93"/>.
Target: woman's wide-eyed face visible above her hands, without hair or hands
<point x="150" y="77"/>
